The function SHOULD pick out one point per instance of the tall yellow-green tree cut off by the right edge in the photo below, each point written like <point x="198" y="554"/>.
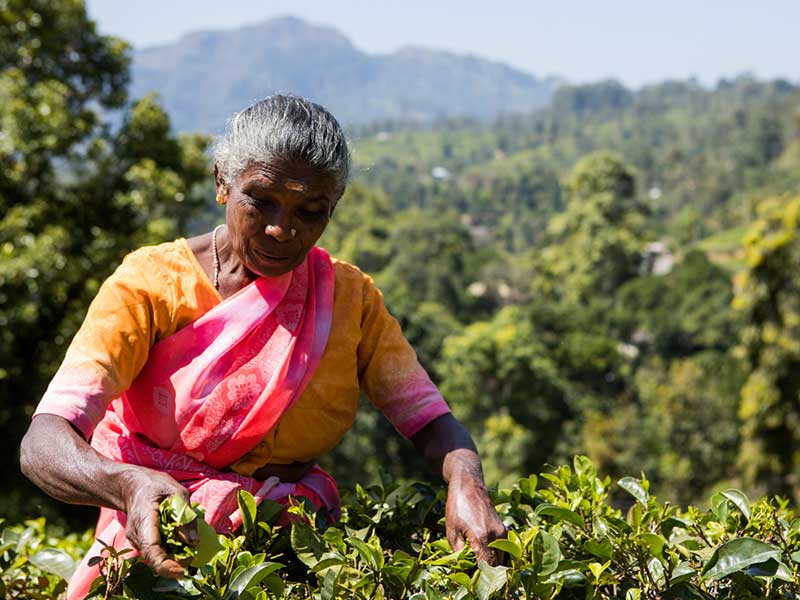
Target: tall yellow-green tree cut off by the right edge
<point x="768" y="294"/>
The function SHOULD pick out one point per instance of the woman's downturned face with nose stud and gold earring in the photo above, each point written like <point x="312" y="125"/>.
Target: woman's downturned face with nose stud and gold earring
<point x="275" y="214"/>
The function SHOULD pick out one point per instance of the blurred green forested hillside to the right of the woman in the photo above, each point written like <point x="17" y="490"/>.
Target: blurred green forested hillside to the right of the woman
<point x="612" y="275"/>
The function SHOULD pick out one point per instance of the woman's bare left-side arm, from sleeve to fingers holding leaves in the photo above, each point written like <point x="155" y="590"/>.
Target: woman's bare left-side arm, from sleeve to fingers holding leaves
<point x="57" y="459"/>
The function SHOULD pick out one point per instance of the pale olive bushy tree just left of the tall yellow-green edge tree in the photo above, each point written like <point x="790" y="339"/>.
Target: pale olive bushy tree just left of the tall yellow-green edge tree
<point x="680" y="425"/>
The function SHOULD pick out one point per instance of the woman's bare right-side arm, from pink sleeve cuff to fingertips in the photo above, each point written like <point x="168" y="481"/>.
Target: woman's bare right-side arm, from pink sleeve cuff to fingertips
<point x="469" y="514"/>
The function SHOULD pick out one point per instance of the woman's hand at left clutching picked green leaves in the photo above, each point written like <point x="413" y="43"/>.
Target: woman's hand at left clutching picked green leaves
<point x="142" y="492"/>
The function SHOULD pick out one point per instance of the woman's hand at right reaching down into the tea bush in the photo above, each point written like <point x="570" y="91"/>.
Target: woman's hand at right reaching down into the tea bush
<point x="470" y="515"/>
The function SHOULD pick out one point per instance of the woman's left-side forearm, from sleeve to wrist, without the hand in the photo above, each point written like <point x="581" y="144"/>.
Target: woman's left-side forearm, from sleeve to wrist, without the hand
<point x="57" y="459"/>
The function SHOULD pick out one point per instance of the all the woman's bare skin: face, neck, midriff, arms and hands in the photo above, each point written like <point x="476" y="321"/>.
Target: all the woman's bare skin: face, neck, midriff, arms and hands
<point x="264" y="204"/>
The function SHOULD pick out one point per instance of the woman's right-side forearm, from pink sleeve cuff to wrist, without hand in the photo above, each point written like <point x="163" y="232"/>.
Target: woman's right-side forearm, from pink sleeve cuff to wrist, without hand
<point x="449" y="449"/>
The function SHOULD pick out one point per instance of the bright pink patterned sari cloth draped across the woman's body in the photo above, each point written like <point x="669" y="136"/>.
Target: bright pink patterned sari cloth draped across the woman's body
<point x="211" y="391"/>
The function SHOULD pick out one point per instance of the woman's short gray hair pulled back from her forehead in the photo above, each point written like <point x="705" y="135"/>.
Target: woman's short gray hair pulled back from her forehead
<point x="284" y="128"/>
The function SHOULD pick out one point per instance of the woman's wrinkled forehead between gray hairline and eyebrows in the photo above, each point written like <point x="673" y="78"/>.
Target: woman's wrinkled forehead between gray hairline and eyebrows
<point x="296" y="176"/>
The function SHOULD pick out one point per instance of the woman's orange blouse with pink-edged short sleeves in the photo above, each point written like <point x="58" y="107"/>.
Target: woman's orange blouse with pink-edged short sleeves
<point x="157" y="290"/>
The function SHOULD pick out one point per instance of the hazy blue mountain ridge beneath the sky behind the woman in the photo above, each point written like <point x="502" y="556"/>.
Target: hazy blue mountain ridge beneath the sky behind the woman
<point x="205" y="76"/>
